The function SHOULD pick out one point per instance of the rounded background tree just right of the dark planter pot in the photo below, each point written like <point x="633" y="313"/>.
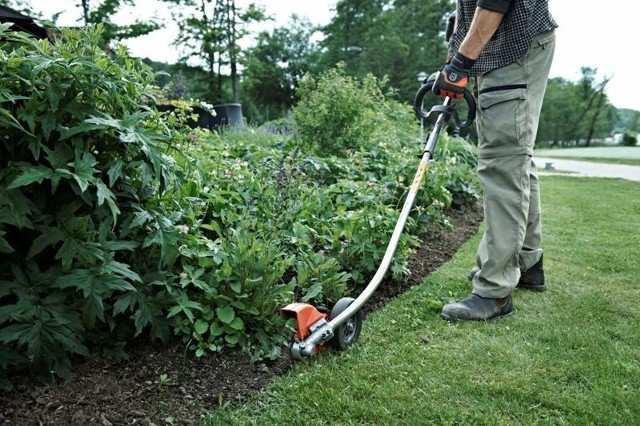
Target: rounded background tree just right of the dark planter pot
<point x="275" y="65"/>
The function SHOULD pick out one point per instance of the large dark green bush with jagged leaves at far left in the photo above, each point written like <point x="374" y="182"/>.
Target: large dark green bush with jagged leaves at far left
<point x="83" y="169"/>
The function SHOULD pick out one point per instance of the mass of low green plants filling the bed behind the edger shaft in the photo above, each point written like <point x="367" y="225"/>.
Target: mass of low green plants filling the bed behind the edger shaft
<point x="271" y="221"/>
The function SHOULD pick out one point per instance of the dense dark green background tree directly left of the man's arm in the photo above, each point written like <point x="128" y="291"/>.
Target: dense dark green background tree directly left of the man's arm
<point x="396" y="39"/>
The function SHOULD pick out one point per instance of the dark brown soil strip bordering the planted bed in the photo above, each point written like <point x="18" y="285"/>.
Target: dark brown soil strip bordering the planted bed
<point x="161" y="384"/>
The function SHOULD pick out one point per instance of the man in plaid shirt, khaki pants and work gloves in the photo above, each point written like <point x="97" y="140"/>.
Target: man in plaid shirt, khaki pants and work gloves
<point x="508" y="45"/>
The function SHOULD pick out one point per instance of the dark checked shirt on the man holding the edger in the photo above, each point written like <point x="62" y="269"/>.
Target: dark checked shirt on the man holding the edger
<point x="523" y="20"/>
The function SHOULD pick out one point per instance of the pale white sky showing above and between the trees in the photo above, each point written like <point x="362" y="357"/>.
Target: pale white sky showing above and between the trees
<point x="603" y="37"/>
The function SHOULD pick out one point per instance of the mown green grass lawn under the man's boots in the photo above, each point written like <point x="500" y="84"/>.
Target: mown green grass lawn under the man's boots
<point x="568" y="356"/>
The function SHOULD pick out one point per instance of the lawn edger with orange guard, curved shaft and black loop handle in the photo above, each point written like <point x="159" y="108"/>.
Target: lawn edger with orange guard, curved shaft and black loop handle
<point x="318" y="328"/>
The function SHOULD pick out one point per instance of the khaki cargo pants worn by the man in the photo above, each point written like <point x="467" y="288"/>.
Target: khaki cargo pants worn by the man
<point x="509" y="103"/>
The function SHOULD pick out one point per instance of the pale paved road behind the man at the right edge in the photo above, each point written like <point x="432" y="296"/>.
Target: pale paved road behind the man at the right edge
<point x="587" y="168"/>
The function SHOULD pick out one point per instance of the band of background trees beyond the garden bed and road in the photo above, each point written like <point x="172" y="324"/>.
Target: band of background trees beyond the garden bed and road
<point x="226" y="56"/>
